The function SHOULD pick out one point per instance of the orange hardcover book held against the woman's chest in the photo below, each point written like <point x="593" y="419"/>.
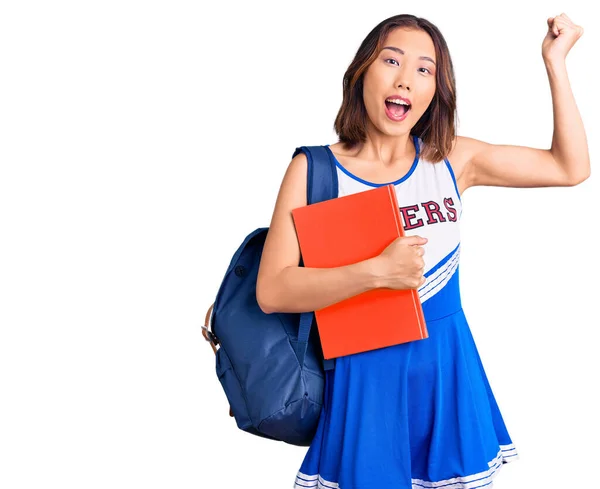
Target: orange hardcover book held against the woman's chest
<point x="346" y="230"/>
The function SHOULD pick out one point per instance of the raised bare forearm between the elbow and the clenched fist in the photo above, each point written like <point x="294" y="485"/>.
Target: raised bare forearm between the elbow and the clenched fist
<point x="569" y="142"/>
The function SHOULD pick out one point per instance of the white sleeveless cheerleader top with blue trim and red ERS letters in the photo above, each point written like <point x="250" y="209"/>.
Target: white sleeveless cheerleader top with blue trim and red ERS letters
<point x="430" y="206"/>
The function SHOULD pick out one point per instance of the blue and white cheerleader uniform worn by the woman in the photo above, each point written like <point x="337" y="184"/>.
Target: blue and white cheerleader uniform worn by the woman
<point x="420" y="414"/>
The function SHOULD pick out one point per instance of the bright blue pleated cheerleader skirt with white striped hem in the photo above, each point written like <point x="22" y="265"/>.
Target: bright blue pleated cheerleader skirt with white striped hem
<point x="416" y="415"/>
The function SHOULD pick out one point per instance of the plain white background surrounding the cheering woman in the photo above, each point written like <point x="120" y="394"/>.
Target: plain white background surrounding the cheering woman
<point x="142" y="141"/>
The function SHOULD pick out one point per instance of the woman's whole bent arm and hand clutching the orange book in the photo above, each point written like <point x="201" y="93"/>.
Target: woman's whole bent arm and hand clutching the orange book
<point x="283" y="286"/>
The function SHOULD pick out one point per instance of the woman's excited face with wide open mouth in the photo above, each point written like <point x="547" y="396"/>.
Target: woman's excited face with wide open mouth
<point x="405" y="68"/>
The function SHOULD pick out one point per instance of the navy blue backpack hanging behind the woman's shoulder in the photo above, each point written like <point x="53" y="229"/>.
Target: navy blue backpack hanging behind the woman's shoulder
<point x="270" y="366"/>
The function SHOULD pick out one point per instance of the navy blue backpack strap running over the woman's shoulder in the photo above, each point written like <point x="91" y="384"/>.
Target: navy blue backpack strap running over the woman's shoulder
<point x="321" y="184"/>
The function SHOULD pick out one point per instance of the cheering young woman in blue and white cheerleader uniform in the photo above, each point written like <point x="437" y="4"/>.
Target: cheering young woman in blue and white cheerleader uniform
<point x="420" y="414"/>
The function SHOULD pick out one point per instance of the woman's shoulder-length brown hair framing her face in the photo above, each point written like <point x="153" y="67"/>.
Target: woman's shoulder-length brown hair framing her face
<point x="436" y="127"/>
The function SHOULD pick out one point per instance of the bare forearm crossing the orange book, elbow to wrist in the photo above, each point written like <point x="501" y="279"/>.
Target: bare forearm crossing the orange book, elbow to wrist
<point x="303" y="289"/>
